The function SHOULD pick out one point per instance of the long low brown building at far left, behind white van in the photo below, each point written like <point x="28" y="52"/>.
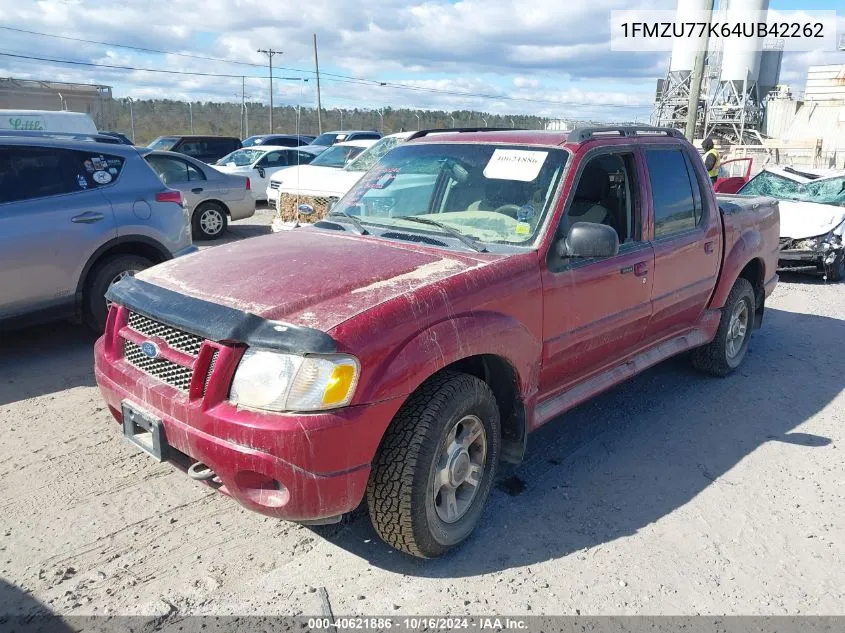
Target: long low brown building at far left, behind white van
<point x="29" y="94"/>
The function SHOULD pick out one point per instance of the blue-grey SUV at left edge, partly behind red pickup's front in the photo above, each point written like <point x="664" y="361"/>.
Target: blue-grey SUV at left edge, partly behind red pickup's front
<point x="76" y="215"/>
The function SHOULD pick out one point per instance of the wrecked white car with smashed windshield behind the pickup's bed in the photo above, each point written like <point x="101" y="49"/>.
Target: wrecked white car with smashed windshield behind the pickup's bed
<point x="812" y="216"/>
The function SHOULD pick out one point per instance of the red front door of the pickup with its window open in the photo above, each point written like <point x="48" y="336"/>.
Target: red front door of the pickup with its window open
<point x="596" y="311"/>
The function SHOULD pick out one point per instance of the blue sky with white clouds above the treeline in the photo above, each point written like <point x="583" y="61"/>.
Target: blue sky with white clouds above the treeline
<point x="541" y="57"/>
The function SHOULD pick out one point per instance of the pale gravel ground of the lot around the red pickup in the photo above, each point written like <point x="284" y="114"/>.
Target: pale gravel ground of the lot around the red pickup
<point x="674" y="493"/>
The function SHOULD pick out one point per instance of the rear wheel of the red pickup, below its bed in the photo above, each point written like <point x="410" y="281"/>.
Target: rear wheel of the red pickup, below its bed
<point x="725" y="352"/>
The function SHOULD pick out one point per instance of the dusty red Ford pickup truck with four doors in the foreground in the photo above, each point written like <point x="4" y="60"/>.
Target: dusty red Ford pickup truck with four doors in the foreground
<point x="474" y="285"/>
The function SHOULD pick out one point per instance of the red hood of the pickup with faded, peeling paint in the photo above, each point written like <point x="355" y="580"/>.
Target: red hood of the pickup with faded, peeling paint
<point x="307" y="277"/>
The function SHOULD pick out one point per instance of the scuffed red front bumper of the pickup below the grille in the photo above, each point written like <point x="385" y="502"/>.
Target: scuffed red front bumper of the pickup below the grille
<point x="305" y="467"/>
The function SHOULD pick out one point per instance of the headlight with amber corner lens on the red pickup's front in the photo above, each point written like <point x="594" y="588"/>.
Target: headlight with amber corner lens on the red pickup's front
<point x="288" y="382"/>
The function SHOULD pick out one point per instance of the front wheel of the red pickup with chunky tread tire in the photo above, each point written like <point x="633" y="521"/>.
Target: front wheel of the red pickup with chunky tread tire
<point x="435" y="468"/>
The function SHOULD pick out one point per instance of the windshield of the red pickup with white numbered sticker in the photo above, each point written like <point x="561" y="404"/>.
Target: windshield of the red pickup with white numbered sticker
<point x="493" y="193"/>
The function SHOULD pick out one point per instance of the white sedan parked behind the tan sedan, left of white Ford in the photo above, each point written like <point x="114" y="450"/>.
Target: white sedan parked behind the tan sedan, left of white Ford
<point x="260" y="163"/>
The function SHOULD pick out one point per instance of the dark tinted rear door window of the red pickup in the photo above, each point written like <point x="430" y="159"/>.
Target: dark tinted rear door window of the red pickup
<point x="672" y="193"/>
